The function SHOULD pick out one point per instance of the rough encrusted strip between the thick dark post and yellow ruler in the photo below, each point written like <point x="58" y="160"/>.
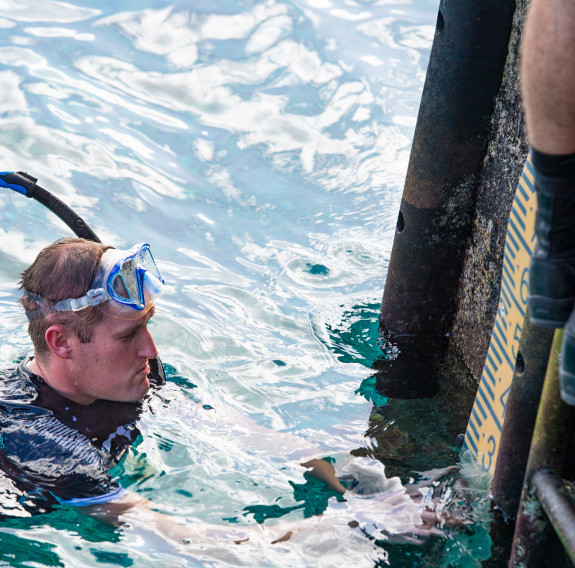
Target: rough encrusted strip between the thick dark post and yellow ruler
<point x="479" y="286"/>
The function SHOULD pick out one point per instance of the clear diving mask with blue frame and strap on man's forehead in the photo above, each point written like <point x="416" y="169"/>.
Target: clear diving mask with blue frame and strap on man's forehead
<point x="130" y="278"/>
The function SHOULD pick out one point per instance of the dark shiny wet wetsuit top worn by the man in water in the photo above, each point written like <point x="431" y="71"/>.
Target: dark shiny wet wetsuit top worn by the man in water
<point x="54" y="449"/>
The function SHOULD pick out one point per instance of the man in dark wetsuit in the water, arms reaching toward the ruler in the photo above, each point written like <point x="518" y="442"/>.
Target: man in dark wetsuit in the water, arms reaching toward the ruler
<point x="69" y="412"/>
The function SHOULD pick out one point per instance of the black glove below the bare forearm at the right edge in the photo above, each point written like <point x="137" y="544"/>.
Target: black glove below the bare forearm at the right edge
<point x="552" y="268"/>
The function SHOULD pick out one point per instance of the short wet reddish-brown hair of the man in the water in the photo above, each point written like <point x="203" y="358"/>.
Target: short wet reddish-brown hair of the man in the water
<point x="64" y="269"/>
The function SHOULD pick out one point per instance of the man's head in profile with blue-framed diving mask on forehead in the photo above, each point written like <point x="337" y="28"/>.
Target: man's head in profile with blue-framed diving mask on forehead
<point x="89" y="306"/>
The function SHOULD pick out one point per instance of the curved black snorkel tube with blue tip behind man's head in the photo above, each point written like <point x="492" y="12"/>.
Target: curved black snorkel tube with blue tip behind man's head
<point x="25" y="184"/>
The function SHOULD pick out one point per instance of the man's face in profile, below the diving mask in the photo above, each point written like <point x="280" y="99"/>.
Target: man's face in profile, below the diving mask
<point x="114" y="365"/>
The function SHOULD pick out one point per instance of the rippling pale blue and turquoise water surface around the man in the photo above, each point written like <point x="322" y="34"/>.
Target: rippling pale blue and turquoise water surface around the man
<point x="260" y="148"/>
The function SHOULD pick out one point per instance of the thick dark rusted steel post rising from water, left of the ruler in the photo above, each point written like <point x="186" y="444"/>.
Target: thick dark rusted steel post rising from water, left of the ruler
<point x="437" y="209"/>
